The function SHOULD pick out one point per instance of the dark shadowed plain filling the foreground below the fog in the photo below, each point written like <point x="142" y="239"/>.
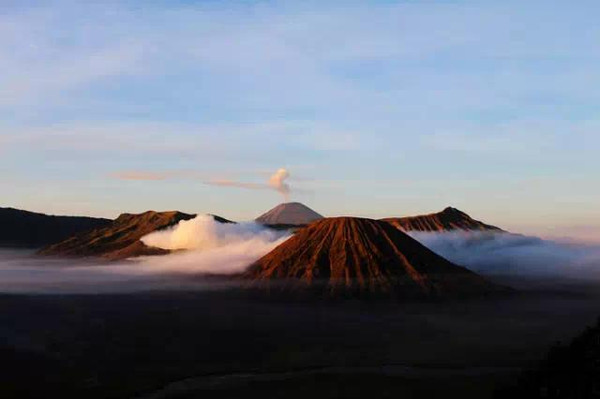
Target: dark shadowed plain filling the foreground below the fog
<point x="225" y="344"/>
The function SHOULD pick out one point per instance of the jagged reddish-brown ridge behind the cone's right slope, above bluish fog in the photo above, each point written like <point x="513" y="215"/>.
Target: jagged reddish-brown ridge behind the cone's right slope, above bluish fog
<point x="449" y="219"/>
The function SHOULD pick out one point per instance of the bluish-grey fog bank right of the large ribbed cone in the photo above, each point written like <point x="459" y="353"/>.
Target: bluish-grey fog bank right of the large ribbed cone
<point x="515" y="255"/>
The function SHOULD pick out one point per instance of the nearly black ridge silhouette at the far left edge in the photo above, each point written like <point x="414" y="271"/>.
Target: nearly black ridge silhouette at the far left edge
<point x="26" y="229"/>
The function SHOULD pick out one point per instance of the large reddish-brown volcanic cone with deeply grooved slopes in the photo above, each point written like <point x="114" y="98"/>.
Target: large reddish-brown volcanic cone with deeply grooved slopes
<point x="355" y="255"/>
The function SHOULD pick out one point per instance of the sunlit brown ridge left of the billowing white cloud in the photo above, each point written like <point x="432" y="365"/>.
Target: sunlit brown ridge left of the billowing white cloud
<point x="121" y="239"/>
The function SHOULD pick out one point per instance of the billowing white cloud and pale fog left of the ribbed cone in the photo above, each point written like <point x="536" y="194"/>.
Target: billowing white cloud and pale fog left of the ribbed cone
<point x="202" y="247"/>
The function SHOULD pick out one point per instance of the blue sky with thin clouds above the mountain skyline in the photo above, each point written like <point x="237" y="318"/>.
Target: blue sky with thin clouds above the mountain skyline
<point x="379" y="109"/>
